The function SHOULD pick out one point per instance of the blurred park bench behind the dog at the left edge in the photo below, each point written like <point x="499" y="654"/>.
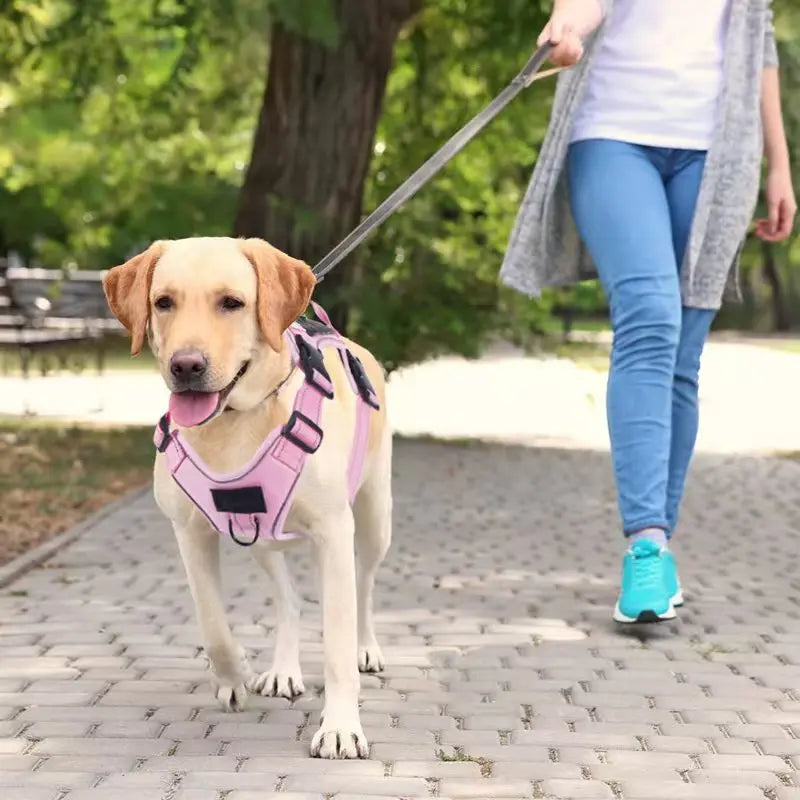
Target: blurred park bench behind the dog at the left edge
<point x="45" y="309"/>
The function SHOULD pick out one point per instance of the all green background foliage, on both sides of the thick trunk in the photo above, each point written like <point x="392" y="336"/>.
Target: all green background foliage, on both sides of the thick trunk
<point x="122" y="122"/>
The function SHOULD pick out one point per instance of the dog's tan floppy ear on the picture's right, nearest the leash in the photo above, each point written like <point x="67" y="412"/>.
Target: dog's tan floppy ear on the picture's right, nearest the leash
<point x="285" y="285"/>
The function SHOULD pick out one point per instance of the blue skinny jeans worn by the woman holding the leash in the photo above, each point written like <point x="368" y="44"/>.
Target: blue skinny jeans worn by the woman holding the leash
<point x="633" y="206"/>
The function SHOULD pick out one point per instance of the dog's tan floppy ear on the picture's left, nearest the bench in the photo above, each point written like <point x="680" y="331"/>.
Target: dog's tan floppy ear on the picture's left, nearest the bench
<point x="127" y="289"/>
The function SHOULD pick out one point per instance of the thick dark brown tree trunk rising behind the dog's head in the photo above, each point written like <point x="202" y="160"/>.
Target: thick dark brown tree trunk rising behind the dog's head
<point x="313" y="142"/>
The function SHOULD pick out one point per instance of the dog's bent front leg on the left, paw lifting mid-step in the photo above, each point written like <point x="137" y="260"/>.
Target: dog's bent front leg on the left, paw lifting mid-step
<point x="230" y="671"/>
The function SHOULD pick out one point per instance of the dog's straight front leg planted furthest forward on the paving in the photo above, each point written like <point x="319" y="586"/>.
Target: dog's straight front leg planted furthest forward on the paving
<point x="340" y="734"/>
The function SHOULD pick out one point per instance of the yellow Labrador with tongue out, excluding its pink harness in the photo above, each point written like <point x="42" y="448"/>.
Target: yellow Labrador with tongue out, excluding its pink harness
<point x="215" y="311"/>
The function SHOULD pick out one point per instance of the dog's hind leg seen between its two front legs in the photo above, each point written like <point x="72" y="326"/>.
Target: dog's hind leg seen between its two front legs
<point x="285" y="678"/>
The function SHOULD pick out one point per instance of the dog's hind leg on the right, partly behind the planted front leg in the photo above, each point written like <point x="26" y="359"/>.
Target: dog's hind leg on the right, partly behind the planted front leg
<point x="373" y="518"/>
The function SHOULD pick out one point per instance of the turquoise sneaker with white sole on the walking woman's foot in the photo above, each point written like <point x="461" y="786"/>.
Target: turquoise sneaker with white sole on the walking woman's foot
<point x="644" y="596"/>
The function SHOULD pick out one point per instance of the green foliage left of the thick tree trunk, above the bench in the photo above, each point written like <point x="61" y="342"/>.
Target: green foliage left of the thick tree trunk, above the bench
<point x="124" y="122"/>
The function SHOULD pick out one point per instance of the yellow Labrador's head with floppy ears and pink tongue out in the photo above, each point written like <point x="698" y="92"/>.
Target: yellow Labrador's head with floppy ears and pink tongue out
<point x="214" y="310"/>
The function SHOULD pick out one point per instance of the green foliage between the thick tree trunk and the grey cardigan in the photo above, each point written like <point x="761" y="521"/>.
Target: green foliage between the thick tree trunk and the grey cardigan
<point x="429" y="275"/>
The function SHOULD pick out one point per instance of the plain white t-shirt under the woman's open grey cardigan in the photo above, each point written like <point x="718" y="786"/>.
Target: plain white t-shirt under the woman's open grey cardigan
<point x="657" y="75"/>
